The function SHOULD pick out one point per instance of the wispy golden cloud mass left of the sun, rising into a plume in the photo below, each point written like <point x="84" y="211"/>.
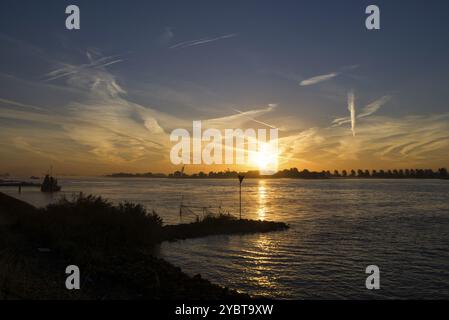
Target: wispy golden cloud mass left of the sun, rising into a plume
<point x="102" y="123"/>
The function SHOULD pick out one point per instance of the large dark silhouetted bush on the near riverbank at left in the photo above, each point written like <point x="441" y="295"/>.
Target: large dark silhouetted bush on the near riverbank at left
<point x="92" y="225"/>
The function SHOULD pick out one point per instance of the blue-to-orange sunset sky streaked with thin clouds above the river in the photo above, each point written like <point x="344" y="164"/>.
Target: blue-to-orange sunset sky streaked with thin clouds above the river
<point x="105" y="98"/>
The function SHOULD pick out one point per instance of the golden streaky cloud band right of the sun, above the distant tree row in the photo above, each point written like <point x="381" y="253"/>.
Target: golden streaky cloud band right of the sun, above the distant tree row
<point x="381" y="142"/>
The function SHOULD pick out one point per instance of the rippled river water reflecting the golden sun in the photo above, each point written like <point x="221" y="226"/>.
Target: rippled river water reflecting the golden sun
<point x="338" y="228"/>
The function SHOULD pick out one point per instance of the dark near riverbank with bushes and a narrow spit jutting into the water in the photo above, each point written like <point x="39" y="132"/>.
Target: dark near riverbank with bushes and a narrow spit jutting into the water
<point x="112" y="245"/>
